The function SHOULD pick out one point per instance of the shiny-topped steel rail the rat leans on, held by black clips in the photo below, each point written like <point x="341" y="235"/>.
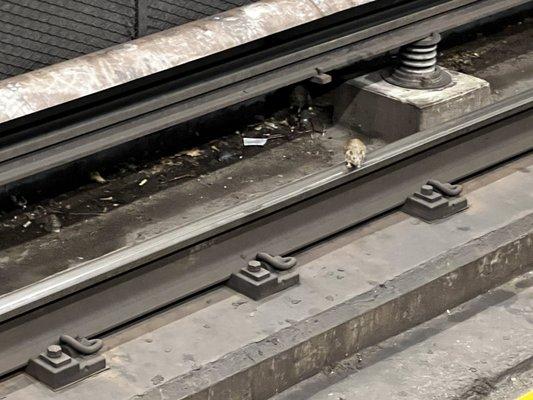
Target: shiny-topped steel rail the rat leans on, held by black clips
<point x="112" y="290"/>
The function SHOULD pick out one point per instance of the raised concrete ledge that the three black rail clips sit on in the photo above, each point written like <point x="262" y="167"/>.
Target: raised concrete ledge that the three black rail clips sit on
<point x="209" y="341"/>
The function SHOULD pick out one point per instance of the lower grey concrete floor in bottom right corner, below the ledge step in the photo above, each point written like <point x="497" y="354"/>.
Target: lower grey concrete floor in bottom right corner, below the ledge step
<point x="482" y="349"/>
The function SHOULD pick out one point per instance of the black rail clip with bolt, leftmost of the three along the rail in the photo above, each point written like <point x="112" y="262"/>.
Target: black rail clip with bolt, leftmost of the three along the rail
<point x="72" y="360"/>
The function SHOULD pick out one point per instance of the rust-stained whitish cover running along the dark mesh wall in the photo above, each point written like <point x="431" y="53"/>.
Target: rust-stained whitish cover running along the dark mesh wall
<point x="105" y="69"/>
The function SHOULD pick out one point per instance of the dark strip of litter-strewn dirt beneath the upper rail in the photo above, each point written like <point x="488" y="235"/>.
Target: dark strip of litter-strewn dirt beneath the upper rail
<point x="114" y="186"/>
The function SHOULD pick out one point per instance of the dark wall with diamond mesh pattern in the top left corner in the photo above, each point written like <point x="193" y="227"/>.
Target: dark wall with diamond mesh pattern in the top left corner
<point x="36" y="33"/>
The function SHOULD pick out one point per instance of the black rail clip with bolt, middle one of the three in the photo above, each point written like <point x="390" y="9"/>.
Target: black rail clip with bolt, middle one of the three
<point x="265" y="276"/>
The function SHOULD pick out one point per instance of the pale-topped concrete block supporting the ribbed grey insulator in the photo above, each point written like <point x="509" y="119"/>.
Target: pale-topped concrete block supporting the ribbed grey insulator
<point x="373" y="107"/>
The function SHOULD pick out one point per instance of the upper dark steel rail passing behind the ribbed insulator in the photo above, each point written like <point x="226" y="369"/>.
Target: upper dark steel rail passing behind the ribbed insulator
<point x="67" y="144"/>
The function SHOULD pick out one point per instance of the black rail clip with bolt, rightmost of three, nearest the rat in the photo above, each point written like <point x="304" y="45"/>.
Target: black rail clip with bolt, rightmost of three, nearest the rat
<point x="436" y="200"/>
